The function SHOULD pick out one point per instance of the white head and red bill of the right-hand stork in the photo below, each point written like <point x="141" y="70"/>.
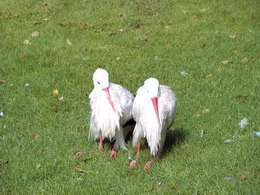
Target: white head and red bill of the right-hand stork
<point x="152" y="87"/>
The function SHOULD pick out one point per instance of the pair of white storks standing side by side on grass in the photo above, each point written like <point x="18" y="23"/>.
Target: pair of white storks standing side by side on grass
<point x="112" y="106"/>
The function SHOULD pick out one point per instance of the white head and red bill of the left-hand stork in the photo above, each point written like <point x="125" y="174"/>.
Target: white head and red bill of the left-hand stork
<point x="101" y="81"/>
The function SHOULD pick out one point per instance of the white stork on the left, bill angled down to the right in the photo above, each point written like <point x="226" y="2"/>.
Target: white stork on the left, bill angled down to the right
<point x="111" y="108"/>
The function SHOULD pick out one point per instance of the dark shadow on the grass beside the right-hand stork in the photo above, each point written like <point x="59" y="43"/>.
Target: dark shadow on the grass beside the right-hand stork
<point x="174" y="138"/>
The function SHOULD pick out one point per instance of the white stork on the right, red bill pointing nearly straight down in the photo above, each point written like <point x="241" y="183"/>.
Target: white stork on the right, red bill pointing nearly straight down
<point x="153" y="110"/>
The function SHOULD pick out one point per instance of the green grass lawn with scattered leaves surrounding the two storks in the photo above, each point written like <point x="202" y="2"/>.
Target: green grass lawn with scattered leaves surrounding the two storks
<point x="158" y="39"/>
